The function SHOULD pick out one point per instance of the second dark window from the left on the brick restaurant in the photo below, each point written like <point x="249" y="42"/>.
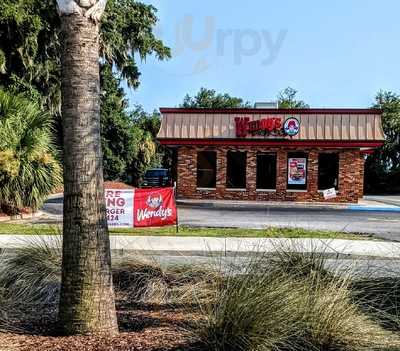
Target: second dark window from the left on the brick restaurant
<point x="236" y="170"/>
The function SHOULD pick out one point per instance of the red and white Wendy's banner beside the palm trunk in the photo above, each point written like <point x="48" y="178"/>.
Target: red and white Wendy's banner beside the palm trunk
<point x="141" y="207"/>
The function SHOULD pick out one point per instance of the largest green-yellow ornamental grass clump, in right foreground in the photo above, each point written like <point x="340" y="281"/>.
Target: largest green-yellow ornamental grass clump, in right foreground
<point x="292" y="304"/>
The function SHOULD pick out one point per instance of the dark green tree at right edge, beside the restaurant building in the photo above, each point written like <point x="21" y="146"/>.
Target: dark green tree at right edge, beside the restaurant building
<point x="382" y="168"/>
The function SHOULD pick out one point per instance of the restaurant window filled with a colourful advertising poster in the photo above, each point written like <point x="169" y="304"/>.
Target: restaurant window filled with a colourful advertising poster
<point x="297" y="171"/>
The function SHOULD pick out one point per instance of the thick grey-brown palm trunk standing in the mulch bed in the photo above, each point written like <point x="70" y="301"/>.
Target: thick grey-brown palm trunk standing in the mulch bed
<point x="87" y="304"/>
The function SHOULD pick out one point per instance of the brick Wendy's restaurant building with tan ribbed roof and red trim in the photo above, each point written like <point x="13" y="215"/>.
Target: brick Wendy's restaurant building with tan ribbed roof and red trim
<point x="270" y="154"/>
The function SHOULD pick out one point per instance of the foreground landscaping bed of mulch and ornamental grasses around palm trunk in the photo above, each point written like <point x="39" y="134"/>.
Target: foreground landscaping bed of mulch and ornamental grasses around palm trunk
<point x="288" y="301"/>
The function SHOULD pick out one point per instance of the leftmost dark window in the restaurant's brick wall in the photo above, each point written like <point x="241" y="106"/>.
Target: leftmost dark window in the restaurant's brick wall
<point x="206" y="169"/>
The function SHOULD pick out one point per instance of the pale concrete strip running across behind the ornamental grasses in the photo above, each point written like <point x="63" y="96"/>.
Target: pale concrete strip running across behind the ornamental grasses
<point x="203" y="246"/>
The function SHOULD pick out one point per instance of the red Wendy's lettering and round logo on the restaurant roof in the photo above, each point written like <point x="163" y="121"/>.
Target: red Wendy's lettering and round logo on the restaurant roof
<point x="266" y="126"/>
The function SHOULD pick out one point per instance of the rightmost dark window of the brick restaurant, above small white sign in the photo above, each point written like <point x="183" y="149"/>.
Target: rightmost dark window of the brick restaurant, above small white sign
<point x="328" y="171"/>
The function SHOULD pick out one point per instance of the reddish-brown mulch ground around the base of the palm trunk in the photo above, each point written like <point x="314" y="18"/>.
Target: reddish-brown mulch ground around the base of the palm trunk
<point x="142" y="328"/>
